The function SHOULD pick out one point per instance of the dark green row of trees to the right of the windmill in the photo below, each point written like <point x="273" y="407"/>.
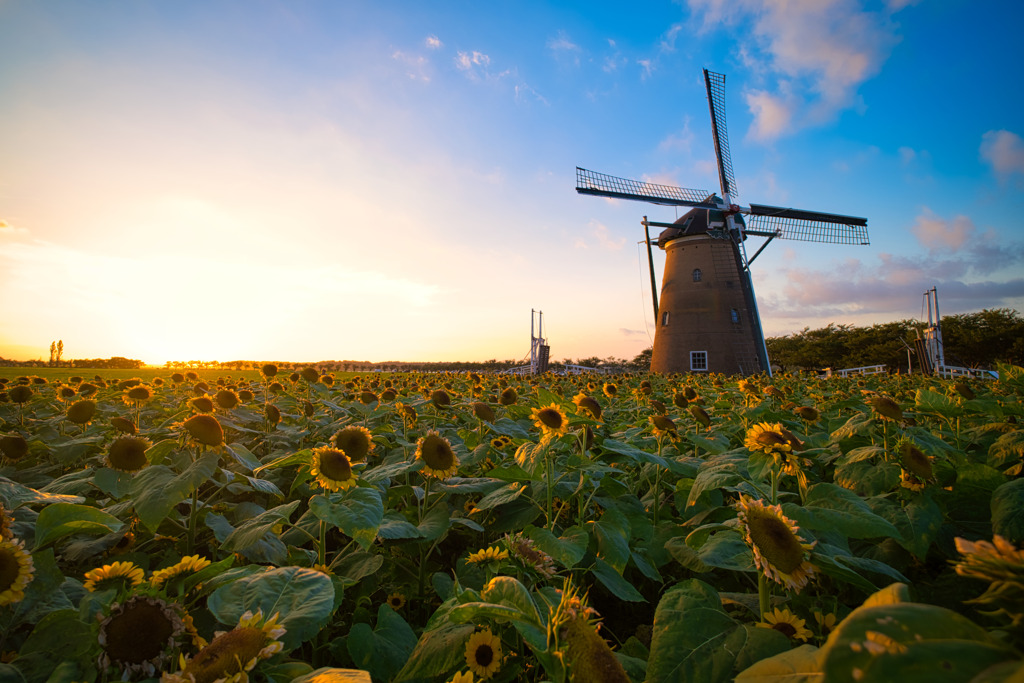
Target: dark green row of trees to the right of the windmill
<point x="970" y="340"/>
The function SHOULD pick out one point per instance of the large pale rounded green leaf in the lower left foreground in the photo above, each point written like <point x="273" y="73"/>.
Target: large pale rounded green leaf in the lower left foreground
<point x="303" y="597"/>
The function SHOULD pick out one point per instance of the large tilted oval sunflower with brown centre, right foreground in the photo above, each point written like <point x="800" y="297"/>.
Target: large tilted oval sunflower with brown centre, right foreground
<point x="778" y="550"/>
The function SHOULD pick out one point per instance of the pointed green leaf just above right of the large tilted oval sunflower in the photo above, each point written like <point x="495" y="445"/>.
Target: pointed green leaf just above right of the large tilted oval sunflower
<point x="829" y="507"/>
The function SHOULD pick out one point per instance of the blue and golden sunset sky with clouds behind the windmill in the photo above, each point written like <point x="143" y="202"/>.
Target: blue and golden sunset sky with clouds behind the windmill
<point x="395" y="181"/>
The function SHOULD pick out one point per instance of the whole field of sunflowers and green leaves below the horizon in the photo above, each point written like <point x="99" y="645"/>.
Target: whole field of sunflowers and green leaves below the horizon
<point x="465" y="528"/>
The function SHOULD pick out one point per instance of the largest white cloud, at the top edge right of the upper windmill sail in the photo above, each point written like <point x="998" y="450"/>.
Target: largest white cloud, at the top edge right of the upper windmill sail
<point x="819" y="52"/>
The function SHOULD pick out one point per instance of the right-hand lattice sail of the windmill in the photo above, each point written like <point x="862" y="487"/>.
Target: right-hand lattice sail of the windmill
<point x="806" y="226"/>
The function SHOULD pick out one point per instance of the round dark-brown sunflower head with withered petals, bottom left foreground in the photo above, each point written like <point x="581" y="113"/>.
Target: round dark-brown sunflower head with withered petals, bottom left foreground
<point x="140" y="636"/>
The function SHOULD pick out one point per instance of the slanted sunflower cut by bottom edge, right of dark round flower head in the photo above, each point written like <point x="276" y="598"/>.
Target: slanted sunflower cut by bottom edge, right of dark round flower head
<point x="232" y="655"/>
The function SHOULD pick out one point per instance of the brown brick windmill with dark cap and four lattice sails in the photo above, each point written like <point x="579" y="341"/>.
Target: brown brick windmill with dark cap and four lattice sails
<point x="708" y="318"/>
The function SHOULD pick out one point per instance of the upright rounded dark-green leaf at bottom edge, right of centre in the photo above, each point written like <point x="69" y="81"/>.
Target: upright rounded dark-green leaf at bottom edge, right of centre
<point x="691" y="629"/>
